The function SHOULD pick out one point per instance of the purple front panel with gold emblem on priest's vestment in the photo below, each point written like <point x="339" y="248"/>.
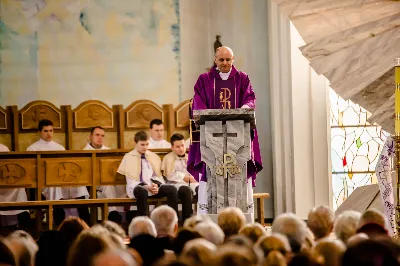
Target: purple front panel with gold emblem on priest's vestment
<point x="225" y="96"/>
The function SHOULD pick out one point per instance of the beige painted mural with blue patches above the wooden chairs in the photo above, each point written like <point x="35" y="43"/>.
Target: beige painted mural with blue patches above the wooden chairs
<point x="69" y="51"/>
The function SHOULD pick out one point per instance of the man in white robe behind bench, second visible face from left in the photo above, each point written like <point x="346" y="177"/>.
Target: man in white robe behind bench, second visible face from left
<point x="96" y="142"/>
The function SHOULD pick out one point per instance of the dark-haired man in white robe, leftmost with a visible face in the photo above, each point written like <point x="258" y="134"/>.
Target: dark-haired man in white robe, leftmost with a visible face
<point x="46" y="143"/>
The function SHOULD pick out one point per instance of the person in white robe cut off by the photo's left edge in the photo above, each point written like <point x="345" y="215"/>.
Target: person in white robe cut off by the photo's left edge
<point x="10" y="218"/>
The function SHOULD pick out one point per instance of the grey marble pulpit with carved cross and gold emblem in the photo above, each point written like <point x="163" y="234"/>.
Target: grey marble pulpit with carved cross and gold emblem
<point x="225" y="149"/>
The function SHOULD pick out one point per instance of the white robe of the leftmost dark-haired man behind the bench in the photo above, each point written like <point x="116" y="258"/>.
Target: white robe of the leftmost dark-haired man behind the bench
<point x="57" y="193"/>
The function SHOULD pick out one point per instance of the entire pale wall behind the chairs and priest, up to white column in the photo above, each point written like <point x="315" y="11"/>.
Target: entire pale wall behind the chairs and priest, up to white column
<point x="115" y="67"/>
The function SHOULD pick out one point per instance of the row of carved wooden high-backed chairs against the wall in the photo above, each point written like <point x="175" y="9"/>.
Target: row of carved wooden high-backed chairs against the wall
<point x="18" y="127"/>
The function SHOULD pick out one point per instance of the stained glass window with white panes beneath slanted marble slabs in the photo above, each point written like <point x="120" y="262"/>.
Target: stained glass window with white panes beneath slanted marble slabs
<point x="355" y="147"/>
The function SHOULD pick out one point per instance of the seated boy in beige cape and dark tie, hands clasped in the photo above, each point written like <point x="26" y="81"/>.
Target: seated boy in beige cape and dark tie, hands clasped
<point x="142" y="169"/>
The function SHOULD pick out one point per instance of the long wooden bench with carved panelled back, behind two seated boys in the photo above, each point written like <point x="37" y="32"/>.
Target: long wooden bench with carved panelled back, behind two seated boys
<point x="36" y="170"/>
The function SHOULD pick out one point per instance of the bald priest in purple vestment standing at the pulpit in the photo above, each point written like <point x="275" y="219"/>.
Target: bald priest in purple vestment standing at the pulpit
<point x="223" y="87"/>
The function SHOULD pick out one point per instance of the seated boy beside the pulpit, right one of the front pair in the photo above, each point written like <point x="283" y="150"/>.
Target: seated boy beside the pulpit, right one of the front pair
<point x="174" y="169"/>
